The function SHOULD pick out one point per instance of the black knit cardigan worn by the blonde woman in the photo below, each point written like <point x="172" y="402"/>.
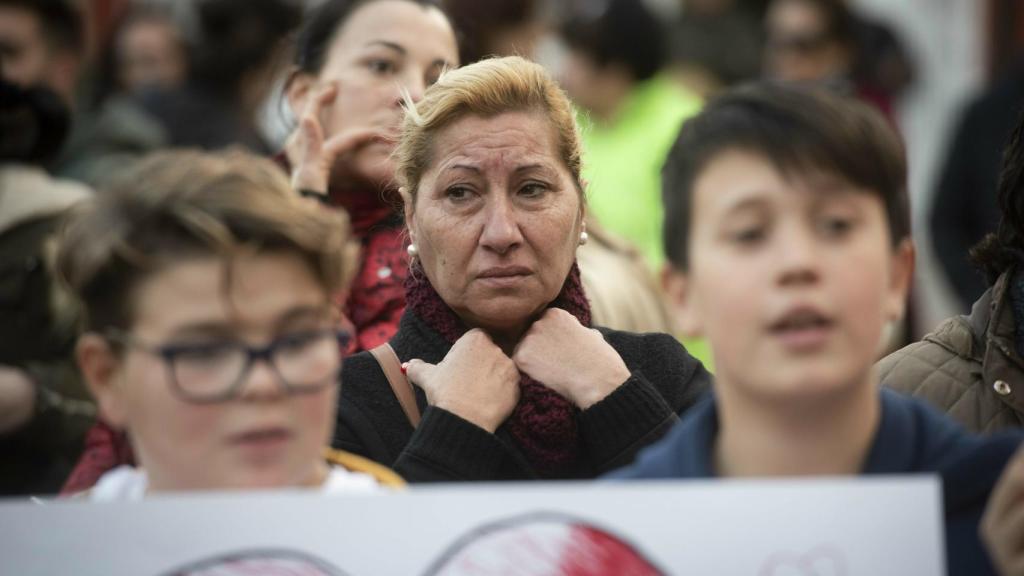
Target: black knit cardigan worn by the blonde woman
<point x="665" y="382"/>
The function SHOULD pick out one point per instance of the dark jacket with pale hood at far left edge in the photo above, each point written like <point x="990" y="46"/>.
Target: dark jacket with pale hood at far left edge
<point x="38" y="332"/>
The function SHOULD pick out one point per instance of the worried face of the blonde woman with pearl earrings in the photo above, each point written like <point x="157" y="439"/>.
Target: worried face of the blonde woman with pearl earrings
<point x="497" y="220"/>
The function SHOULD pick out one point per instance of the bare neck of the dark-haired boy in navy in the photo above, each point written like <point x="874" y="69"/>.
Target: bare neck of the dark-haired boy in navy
<point x="825" y="436"/>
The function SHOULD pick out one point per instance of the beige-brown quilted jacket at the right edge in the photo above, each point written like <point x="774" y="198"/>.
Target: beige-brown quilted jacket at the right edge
<point x="968" y="367"/>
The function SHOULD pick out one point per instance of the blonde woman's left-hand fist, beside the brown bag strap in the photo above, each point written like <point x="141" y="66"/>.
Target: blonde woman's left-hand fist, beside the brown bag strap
<point x="476" y="382"/>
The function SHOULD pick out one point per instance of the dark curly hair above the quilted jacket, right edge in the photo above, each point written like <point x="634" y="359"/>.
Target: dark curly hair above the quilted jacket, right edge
<point x="1003" y="250"/>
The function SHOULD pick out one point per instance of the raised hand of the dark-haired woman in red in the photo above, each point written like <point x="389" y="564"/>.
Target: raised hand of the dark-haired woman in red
<point x="312" y="153"/>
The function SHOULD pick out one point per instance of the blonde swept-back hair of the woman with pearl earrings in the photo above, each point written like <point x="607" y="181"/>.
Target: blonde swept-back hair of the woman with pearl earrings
<point x="486" y="89"/>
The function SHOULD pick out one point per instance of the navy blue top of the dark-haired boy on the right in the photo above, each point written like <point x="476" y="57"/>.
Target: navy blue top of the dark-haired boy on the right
<point x="912" y="438"/>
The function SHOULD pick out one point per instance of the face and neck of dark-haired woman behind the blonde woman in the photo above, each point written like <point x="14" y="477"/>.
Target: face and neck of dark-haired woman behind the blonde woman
<point x="383" y="49"/>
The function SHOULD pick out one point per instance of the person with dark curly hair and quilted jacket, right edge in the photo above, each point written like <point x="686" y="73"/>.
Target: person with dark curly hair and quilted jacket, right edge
<point x="972" y="367"/>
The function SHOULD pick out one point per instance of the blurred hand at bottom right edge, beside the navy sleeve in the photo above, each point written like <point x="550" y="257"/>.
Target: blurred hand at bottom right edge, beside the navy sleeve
<point x="1003" y="525"/>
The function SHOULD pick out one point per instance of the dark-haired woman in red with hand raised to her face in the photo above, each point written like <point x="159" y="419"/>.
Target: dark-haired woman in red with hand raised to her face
<point x="354" y="62"/>
